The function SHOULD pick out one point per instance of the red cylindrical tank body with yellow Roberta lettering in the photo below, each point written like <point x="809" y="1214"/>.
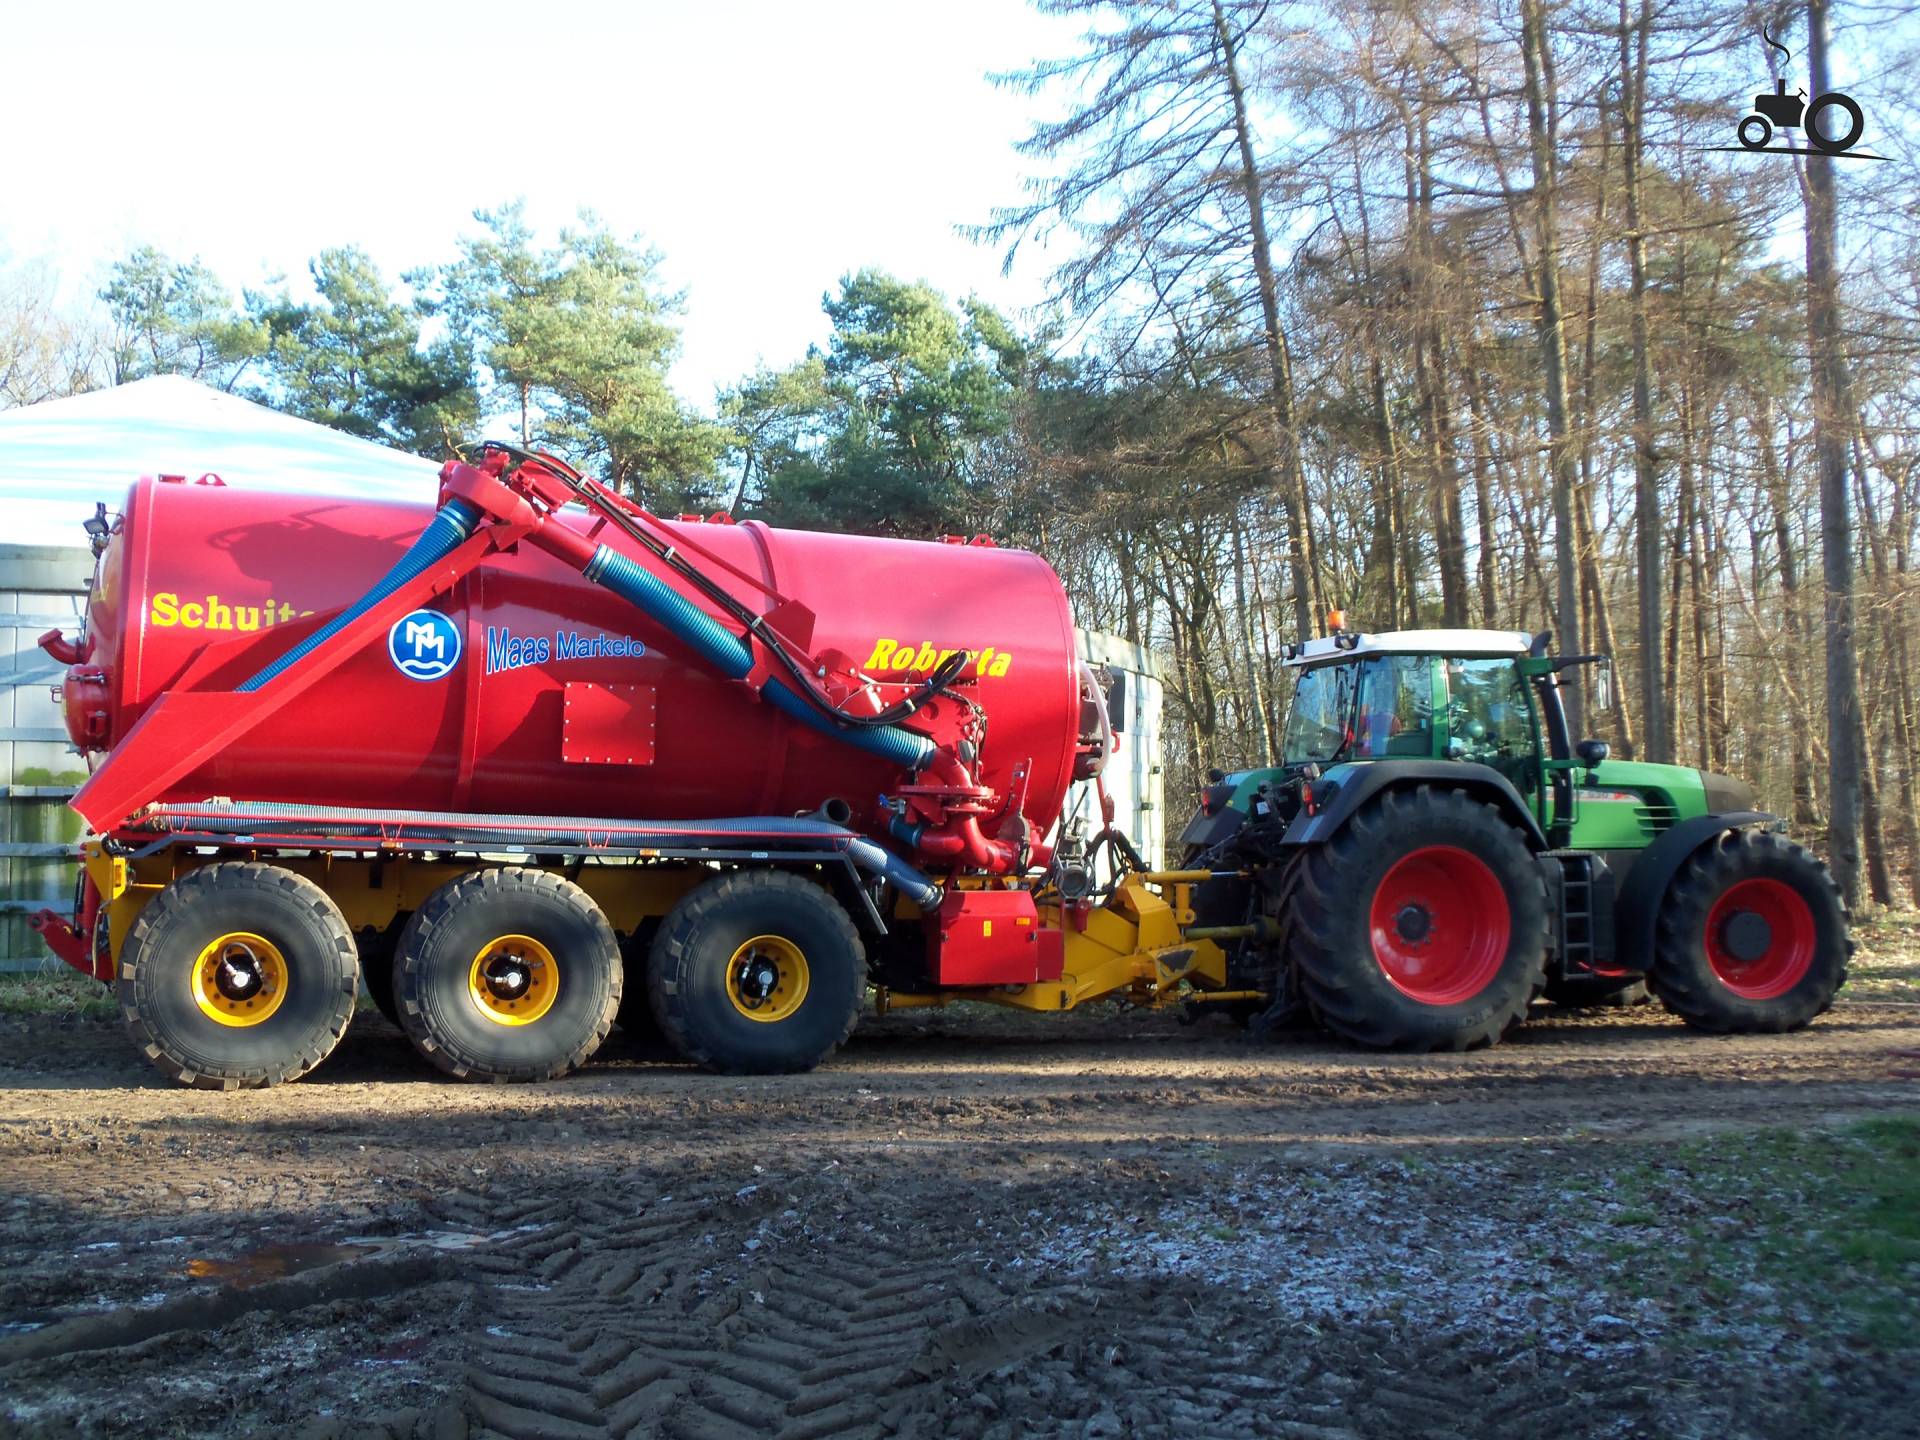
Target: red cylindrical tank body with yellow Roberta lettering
<point x="531" y="690"/>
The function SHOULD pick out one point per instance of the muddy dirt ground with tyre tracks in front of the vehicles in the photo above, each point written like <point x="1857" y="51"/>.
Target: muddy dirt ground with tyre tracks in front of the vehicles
<point x="971" y="1224"/>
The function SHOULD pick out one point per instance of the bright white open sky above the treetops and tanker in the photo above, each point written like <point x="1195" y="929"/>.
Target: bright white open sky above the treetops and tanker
<point x="763" y="149"/>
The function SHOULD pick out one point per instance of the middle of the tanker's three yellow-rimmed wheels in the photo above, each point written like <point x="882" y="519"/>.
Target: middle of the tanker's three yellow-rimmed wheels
<point x="508" y="976"/>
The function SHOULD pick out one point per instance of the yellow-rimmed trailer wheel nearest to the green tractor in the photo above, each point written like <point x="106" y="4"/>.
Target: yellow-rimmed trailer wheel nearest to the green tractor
<point x="757" y="974"/>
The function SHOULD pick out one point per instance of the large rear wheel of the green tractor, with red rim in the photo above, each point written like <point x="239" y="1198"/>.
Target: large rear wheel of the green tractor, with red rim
<point x="1452" y="848"/>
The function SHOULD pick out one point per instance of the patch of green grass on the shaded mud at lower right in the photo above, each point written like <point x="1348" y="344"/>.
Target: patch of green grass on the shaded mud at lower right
<point x="1796" y="1230"/>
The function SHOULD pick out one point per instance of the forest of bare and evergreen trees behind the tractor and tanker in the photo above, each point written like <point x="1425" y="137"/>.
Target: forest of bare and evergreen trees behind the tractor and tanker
<point x="1439" y="314"/>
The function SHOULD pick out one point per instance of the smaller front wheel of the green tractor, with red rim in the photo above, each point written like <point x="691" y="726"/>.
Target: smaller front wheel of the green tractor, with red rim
<point x="1804" y="938"/>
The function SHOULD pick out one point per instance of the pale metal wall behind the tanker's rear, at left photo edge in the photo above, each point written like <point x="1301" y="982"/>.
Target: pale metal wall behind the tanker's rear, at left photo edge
<point x="41" y="588"/>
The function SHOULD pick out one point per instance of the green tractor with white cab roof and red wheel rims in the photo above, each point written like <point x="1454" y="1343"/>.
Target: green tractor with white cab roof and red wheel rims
<point x="1435" y="853"/>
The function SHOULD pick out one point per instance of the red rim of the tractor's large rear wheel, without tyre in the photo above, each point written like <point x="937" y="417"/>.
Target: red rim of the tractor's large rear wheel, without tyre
<point x="1441" y="924"/>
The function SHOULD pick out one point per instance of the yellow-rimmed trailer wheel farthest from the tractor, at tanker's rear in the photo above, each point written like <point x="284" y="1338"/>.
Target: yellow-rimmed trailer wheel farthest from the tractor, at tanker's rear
<point x="168" y="953"/>
